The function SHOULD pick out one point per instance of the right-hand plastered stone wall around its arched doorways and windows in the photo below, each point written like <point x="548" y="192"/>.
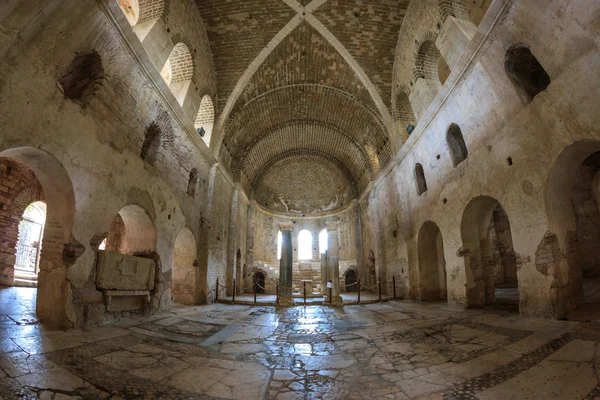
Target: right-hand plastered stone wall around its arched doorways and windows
<point x="512" y="147"/>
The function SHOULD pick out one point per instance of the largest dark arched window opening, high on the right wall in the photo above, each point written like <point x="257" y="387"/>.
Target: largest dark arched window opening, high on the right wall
<point x="525" y="71"/>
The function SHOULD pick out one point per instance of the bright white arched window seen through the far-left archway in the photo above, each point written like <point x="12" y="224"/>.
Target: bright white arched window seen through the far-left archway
<point x="31" y="231"/>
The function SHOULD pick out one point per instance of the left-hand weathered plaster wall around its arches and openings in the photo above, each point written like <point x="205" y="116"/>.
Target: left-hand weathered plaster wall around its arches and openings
<point x="98" y="144"/>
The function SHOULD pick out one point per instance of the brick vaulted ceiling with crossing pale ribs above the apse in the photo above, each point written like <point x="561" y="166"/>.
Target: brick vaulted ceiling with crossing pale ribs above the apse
<point x="303" y="96"/>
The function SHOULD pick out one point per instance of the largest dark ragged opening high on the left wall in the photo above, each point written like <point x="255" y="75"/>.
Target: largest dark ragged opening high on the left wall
<point x="82" y="78"/>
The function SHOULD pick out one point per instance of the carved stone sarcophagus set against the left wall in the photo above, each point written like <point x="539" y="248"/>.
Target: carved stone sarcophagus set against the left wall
<point x="120" y="275"/>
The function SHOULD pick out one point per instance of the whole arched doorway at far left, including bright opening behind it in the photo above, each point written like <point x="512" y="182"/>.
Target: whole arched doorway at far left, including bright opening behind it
<point x="41" y="178"/>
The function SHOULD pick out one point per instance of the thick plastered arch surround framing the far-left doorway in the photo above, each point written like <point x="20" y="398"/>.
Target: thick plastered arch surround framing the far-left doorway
<point x="59" y="248"/>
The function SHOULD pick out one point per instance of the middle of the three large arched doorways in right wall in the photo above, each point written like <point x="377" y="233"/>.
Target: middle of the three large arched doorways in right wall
<point x="490" y="260"/>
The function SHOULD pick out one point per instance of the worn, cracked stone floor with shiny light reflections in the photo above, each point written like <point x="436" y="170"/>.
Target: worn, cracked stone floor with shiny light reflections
<point x="393" y="350"/>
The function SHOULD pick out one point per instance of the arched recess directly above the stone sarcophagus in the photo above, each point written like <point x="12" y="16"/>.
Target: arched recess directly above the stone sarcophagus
<point x="132" y="231"/>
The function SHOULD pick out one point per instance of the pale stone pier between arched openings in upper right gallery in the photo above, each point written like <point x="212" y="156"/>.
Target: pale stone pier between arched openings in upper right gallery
<point x="454" y="38"/>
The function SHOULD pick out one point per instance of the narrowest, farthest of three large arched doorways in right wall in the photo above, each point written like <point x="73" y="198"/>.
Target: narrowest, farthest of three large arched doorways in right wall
<point x="432" y="264"/>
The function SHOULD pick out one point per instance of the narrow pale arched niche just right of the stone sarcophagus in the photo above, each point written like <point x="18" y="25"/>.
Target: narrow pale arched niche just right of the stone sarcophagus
<point x="184" y="268"/>
